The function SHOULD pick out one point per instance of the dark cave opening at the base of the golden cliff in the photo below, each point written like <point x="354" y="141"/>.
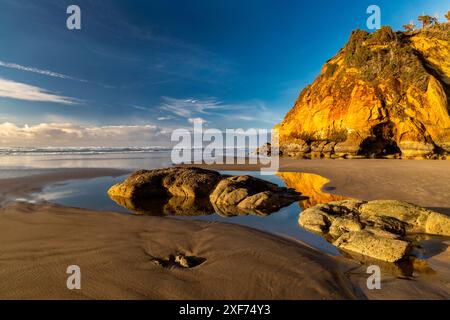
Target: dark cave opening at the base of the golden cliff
<point x="381" y="143"/>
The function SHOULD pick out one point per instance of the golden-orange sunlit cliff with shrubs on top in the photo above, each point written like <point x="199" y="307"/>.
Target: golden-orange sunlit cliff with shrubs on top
<point x="383" y="94"/>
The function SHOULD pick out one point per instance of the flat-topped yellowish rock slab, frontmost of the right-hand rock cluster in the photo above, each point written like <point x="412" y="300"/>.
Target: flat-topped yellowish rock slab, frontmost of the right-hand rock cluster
<point x="368" y="244"/>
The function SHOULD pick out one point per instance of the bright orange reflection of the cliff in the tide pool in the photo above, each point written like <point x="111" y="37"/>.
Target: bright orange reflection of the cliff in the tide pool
<point x="309" y="185"/>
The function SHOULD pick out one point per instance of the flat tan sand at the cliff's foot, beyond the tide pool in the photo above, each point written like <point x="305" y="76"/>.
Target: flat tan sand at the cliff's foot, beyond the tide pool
<point x="424" y="183"/>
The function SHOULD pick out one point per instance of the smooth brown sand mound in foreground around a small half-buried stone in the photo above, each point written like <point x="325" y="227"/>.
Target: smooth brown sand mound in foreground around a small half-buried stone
<point x="115" y="253"/>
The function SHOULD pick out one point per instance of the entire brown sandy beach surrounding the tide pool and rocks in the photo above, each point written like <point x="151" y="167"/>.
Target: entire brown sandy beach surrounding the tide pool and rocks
<point x="116" y="252"/>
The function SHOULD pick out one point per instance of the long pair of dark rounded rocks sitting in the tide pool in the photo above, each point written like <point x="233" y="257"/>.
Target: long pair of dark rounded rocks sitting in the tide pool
<point x="195" y="191"/>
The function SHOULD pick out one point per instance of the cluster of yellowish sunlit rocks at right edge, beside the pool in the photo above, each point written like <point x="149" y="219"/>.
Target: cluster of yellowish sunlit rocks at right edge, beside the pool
<point x="375" y="228"/>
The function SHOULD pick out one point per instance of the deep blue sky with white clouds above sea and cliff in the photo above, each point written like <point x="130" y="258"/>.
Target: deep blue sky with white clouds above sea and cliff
<point x="139" y="69"/>
